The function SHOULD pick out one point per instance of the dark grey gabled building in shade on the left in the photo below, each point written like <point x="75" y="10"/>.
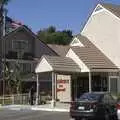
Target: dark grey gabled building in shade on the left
<point x="24" y="48"/>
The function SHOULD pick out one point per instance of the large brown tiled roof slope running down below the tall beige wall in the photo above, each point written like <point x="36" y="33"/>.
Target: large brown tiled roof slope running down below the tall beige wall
<point x="92" y="56"/>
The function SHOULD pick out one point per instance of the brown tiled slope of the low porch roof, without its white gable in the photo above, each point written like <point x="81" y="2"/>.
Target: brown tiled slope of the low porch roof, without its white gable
<point x="62" y="64"/>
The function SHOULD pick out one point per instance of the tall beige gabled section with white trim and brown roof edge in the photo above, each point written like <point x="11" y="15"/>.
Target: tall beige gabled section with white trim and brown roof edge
<point x="102" y="29"/>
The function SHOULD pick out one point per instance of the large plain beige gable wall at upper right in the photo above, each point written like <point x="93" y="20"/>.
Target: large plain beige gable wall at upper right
<point x="103" y="29"/>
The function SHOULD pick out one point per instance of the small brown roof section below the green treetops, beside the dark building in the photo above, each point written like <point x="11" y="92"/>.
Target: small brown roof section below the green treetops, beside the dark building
<point x="61" y="50"/>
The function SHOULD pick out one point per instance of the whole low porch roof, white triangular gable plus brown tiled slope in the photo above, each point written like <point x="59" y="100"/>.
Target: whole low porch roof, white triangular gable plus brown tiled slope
<point x="57" y="64"/>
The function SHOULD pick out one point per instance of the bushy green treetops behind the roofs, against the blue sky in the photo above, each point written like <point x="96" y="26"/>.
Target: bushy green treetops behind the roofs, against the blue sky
<point x="51" y="36"/>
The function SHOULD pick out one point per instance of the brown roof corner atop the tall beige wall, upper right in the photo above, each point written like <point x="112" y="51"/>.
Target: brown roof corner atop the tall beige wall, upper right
<point x="115" y="9"/>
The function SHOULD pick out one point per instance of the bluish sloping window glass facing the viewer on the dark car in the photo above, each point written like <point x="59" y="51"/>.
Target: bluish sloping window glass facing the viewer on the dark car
<point x="90" y="97"/>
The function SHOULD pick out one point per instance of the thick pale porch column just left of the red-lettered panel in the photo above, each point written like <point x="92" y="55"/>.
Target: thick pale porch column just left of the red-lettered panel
<point x="53" y="90"/>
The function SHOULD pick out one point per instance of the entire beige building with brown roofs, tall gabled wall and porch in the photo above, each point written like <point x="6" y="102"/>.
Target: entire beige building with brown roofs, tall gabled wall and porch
<point x="94" y="54"/>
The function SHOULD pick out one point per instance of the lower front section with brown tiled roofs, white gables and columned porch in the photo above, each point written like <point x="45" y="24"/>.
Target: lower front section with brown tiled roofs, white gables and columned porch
<point x="84" y="68"/>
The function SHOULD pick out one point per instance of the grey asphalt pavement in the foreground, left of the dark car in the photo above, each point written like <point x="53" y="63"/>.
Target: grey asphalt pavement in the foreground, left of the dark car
<point x="32" y="115"/>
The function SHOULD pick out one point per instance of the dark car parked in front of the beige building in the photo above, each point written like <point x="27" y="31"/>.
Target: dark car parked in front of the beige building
<point x="94" y="105"/>
